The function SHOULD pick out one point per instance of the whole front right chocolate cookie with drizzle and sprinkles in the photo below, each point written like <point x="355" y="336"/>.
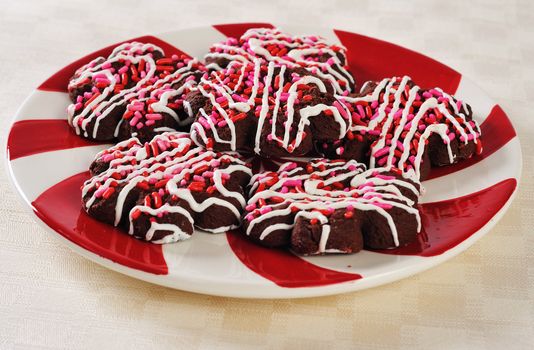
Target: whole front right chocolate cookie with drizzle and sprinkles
<point x="332" y="206"/>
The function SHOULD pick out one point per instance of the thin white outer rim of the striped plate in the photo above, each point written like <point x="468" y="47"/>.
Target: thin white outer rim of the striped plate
<point x="274" y="291"/>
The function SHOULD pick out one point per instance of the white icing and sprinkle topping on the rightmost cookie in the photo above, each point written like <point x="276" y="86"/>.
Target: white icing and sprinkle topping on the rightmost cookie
<point x="393" y="118"/>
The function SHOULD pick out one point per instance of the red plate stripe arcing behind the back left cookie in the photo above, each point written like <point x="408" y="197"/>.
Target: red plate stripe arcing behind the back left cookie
<point x="59" y="81"/>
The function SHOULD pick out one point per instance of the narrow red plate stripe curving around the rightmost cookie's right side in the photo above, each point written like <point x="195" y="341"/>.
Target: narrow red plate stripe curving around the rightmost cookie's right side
<point x="497" y="130"/>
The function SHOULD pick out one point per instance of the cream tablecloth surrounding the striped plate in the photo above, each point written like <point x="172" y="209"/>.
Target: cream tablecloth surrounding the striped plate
<point x="52" y="298"/>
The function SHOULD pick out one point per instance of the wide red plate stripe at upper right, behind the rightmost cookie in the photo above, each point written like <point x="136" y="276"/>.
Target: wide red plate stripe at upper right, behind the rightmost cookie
<point x="373" y="59"/>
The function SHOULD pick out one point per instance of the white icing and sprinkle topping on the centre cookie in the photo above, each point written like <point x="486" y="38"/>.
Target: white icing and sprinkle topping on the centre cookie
<point x="214" y="88"/>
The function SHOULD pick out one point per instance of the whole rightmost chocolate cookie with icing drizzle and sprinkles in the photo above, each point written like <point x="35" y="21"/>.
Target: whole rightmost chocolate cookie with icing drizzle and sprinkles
<point x="395" y="123"/>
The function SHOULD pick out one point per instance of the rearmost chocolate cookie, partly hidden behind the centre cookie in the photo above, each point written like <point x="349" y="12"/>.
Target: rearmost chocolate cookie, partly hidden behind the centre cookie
<point x="311" y="52"/>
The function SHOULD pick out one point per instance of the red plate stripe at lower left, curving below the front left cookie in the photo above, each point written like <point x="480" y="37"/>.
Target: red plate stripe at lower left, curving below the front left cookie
<point x="59" y="207"/>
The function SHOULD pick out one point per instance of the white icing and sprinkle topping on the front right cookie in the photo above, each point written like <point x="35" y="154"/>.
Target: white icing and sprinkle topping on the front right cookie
<point x="369" y="190"/>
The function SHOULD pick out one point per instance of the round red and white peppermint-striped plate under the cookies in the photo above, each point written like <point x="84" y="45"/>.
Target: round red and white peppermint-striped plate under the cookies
<point x="48" y="163"/>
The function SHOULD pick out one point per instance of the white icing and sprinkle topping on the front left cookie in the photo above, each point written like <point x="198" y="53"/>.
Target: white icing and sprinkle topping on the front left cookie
<point x="175" y="160"/>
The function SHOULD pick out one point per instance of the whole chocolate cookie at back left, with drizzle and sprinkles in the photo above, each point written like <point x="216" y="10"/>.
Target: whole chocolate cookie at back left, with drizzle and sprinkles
<point x="136" y="91"/>
